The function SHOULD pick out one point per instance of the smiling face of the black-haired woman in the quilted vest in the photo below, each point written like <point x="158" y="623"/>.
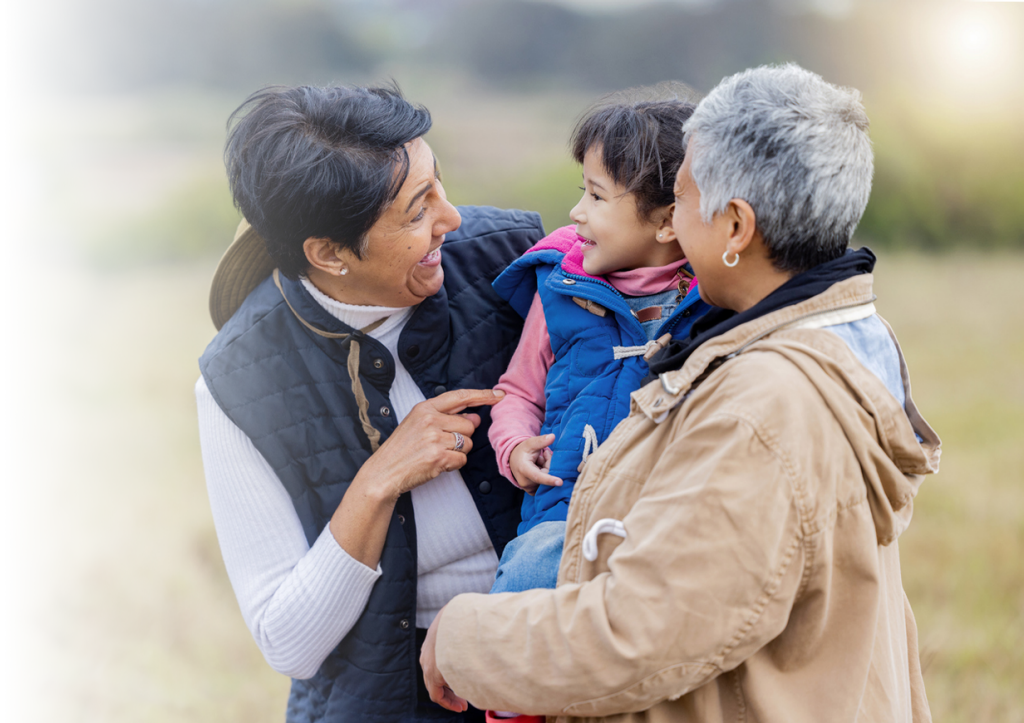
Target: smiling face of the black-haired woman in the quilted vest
<point x="402" y="265"/>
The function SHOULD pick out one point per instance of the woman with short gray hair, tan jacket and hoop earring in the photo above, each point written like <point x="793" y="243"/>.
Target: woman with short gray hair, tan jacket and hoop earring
<point x="732" y="550"/>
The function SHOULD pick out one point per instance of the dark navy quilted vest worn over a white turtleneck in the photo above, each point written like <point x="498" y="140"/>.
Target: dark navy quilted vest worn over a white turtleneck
<point x="289" y="391"/>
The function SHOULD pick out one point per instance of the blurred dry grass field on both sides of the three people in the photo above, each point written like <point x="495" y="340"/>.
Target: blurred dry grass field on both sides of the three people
<point x="117" y="604"/>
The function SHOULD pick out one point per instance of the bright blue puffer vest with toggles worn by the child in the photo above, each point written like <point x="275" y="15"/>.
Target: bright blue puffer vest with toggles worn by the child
<point x="586" y="385"/>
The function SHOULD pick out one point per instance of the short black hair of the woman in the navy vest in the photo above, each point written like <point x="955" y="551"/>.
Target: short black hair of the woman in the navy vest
<point x="319" y="162"/>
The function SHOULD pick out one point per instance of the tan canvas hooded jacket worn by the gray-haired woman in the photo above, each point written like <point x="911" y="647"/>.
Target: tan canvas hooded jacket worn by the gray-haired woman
<point x="747" y="569"/>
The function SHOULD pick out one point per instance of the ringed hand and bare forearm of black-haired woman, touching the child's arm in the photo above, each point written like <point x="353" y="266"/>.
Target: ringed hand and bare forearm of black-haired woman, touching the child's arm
<point x="420" y="449"/>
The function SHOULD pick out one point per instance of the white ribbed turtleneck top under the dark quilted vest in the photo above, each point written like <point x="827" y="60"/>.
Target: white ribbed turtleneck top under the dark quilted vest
<point x="300" y="602"/>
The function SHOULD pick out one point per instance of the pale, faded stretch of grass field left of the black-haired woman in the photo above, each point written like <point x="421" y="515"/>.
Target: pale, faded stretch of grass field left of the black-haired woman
<point x="118" y="608"/>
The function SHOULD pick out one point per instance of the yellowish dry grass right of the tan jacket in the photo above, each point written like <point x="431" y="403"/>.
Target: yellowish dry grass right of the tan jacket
<point x="961" y="322"/>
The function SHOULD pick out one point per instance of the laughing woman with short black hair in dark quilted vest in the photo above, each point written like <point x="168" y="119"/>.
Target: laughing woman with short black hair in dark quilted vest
<point x="353" y="492"/>
